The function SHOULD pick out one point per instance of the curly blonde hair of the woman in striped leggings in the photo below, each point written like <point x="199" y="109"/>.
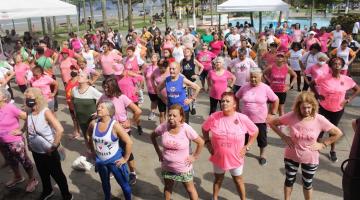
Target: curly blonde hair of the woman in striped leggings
<point x="305" y="97"/>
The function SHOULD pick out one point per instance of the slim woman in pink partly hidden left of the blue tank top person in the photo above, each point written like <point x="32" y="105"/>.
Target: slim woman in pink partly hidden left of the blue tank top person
<point x="148" y="71"/>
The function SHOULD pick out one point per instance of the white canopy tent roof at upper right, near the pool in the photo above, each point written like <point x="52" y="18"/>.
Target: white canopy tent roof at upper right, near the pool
<point x="252" y="6"/>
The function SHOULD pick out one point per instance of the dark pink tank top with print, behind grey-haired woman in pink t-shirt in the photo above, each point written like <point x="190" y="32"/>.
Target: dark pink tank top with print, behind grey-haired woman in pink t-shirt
<point x="278" y="78"/>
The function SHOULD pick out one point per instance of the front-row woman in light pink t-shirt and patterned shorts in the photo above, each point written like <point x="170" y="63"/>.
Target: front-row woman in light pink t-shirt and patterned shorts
<point x="176" y="160"/>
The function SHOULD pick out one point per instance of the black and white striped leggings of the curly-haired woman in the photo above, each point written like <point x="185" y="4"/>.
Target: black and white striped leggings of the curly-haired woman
<point x="308" y="172"/>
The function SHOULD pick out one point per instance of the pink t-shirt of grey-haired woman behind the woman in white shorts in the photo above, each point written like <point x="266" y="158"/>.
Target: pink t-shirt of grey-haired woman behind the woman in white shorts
<point x="254" y="101"/>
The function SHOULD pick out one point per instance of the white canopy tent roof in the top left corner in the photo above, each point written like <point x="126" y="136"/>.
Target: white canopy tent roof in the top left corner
<point x="19" y="9"/>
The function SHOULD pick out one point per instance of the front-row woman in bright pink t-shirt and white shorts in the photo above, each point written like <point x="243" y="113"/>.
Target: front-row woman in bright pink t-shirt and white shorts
<point x="226" y="146"/>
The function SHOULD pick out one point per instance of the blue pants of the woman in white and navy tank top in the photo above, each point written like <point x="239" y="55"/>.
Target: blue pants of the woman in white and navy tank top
<point x="121" y="175"/>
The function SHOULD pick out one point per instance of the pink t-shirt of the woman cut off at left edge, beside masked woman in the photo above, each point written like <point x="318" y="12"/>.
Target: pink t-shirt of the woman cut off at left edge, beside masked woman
<point x="9" y="121"/>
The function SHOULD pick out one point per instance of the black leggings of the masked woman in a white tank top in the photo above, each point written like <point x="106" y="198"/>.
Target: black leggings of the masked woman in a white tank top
<point x="50" y="165"/>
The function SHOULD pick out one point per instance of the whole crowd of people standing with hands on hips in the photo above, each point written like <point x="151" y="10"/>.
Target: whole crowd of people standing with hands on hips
<point x="234" y="65"/>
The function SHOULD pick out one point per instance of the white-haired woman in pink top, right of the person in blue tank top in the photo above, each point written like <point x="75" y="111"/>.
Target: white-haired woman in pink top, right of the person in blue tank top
<point x="220" y="80"/>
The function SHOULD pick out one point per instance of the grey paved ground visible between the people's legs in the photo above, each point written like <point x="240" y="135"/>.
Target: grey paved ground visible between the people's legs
<point x="262" y="182"/>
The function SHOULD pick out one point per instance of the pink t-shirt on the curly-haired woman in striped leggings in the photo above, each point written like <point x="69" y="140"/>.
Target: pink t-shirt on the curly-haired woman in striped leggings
<point x="304" y="133"/>
